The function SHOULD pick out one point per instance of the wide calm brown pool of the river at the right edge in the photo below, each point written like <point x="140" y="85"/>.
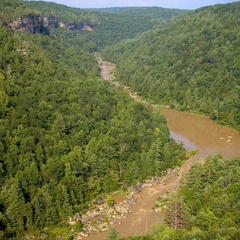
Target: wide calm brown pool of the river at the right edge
<point x="200" y="132"/>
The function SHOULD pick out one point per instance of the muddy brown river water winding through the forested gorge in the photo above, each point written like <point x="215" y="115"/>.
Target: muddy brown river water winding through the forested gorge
<point x="196" y="132"/>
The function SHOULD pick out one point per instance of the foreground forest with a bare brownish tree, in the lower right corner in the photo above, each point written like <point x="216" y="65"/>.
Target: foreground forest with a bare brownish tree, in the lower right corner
<point x="206" y="205"/>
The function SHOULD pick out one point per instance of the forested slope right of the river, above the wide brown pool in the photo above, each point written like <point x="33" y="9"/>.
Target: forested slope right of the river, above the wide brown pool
<point x="190" y="63"/>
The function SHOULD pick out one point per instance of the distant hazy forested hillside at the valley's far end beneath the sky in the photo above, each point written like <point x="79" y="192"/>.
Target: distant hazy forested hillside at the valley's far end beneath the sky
<point x="106" y="28"/>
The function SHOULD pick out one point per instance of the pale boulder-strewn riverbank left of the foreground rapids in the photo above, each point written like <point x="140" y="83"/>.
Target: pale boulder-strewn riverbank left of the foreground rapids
<point x="101" y="216"/>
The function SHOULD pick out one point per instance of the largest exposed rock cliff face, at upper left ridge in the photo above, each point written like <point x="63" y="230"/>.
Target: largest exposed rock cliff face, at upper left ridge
<point x="31" y="24"/>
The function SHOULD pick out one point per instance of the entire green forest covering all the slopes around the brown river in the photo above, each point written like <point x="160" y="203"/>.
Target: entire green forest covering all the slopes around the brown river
<point x="68" y="138"/>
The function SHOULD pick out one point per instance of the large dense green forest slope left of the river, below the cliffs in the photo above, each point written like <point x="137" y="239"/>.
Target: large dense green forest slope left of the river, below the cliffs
<point x="66" y="135"/>
